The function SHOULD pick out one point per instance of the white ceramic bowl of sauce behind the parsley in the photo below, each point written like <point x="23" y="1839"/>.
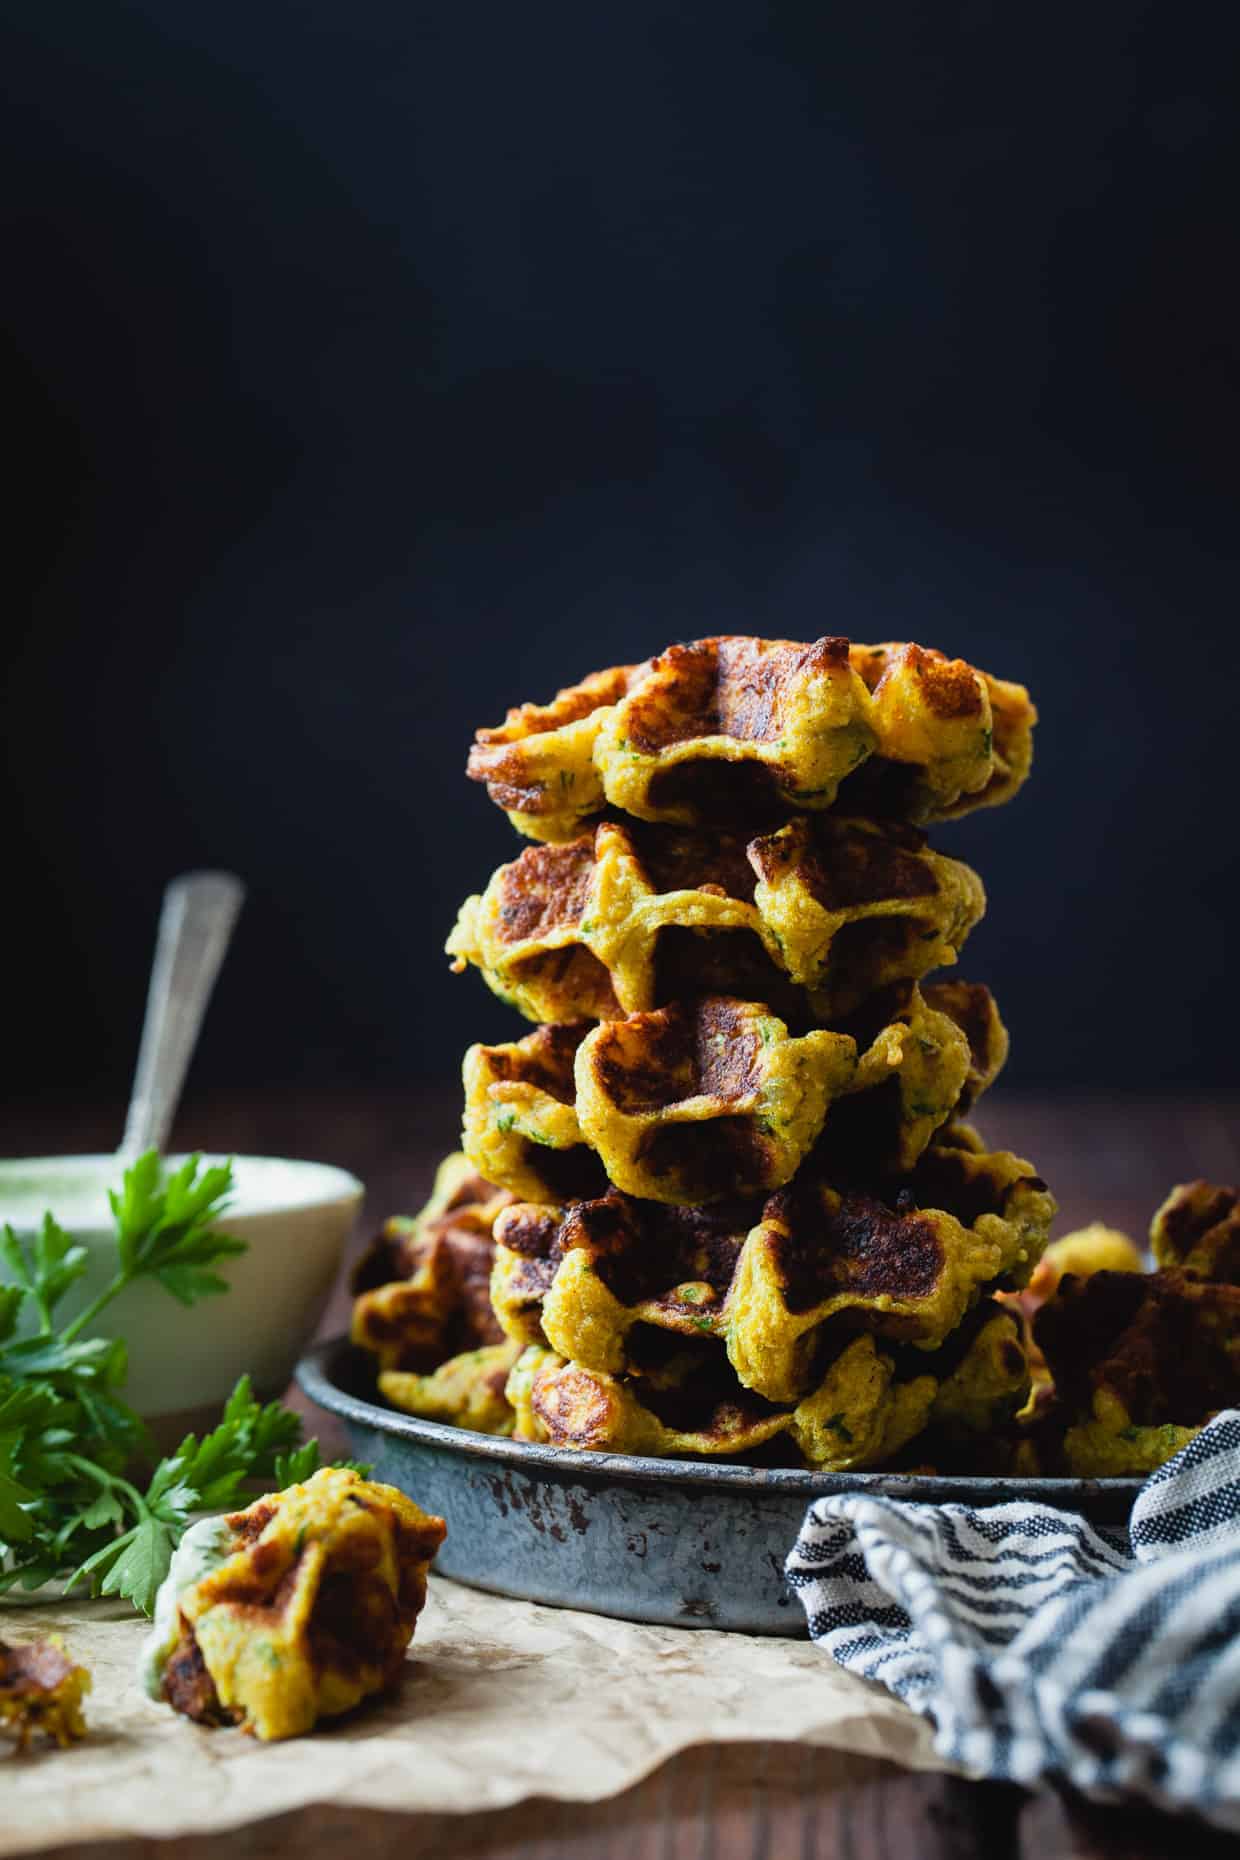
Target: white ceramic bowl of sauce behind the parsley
<point x="183" y="1361"/>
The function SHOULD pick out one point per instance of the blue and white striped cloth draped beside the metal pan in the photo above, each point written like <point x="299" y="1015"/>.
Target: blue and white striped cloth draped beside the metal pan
<point x="1046" y="1649"/>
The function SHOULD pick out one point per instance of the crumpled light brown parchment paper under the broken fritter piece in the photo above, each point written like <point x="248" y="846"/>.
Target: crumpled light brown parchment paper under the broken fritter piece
<point x="501" y="1701"/>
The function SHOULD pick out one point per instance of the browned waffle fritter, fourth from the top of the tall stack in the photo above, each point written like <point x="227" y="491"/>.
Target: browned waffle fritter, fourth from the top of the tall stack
<point x="609" y="1282"/>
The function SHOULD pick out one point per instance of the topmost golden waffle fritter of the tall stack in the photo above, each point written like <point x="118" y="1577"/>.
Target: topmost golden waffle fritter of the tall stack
<point x="759" y="728"/>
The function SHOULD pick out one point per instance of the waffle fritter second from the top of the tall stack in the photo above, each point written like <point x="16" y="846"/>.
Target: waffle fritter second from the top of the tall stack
<point x="810" y="920"/>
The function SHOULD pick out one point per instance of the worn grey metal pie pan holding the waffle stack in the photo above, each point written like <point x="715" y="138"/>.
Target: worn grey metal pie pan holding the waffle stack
<point x="681" y="1543"/>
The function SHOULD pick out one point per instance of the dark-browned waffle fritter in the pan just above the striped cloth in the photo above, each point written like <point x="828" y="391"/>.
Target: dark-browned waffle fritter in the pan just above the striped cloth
<point x="1141" y="1362"/>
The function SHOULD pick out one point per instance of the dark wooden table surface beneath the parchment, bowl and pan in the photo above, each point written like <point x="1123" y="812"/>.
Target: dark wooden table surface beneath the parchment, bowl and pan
<point x="1105" y="1158"/>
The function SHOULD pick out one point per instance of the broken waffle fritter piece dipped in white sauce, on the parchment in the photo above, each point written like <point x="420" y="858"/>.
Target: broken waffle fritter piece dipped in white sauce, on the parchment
<point x="293" y="1610"/>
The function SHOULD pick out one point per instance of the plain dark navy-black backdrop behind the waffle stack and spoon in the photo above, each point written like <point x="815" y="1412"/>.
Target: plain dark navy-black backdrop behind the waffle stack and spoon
<point x="373" y="367"/>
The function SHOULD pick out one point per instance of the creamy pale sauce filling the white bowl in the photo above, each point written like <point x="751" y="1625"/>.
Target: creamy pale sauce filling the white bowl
<point x="75" y="1189"/>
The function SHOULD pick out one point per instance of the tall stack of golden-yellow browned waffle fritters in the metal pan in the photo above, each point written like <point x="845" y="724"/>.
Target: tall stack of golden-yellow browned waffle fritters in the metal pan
<point x="722" y="1199"/>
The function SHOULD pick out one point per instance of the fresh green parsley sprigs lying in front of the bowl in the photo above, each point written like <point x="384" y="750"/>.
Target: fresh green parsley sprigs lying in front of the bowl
<point x="68" y="1437"/>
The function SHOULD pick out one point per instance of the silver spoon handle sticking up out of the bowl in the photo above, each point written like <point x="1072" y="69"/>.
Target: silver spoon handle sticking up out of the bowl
<point x="196" y="925"/>
